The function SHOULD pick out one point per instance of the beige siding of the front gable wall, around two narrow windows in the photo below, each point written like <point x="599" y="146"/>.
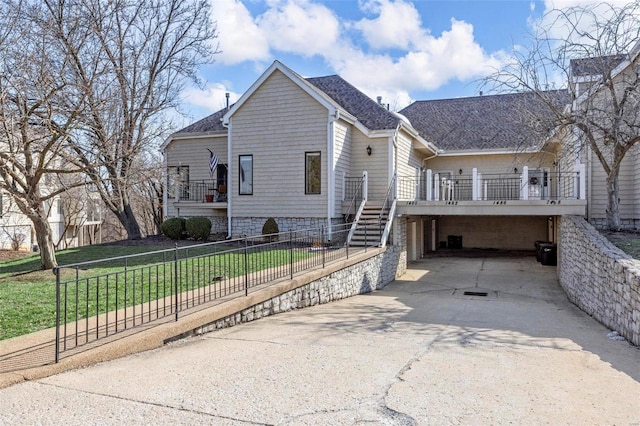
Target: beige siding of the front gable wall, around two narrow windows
<point x="277" y="125"/>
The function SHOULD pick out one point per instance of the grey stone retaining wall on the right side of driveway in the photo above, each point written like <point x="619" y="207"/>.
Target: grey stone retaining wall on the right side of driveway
<point x="599" y="278"/>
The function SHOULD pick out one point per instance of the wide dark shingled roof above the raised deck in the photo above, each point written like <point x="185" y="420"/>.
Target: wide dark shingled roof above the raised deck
<point x="484" y="122"/>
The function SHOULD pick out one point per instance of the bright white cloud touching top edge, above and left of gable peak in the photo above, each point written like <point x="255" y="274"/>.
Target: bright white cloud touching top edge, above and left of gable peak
<point x="239" y="36"/>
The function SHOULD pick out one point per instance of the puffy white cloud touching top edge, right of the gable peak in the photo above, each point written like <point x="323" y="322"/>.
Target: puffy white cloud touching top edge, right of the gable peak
<point x="398" y="24"/>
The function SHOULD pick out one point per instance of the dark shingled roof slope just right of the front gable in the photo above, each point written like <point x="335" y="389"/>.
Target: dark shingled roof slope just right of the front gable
<point x="371" y="114"/>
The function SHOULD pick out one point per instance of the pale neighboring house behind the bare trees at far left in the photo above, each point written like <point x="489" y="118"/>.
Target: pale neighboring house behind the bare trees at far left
<point x="74" y="221"/>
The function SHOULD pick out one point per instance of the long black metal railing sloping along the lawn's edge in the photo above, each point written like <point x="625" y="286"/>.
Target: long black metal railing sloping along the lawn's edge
<point x="99" y="299"/>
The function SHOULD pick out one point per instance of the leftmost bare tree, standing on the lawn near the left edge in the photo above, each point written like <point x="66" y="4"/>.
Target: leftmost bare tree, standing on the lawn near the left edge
<point x="39" y="111"/>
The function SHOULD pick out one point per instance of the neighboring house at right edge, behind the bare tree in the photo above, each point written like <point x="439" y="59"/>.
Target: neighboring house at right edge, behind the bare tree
<point x="586" y="80"/>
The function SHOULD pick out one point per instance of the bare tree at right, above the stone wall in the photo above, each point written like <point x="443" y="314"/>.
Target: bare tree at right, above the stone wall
<point x="589" y="51"/>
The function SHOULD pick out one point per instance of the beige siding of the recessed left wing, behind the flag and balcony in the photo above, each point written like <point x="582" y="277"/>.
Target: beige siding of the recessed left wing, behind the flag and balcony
<point x="194" y="153"/>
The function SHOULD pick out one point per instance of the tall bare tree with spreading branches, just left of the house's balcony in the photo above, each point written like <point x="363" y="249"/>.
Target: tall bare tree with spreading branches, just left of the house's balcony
<point x="131" y="59"/>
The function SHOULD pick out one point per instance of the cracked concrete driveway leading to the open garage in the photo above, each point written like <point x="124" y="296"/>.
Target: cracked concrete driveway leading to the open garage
<point x="418" y="352"/>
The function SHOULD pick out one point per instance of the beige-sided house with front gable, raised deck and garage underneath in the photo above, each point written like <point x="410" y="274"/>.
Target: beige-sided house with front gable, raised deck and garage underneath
<point x="316" y="152"/>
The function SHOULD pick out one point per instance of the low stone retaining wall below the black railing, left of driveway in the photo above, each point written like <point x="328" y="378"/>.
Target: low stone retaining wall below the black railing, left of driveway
<point x="358" y="278"/>
